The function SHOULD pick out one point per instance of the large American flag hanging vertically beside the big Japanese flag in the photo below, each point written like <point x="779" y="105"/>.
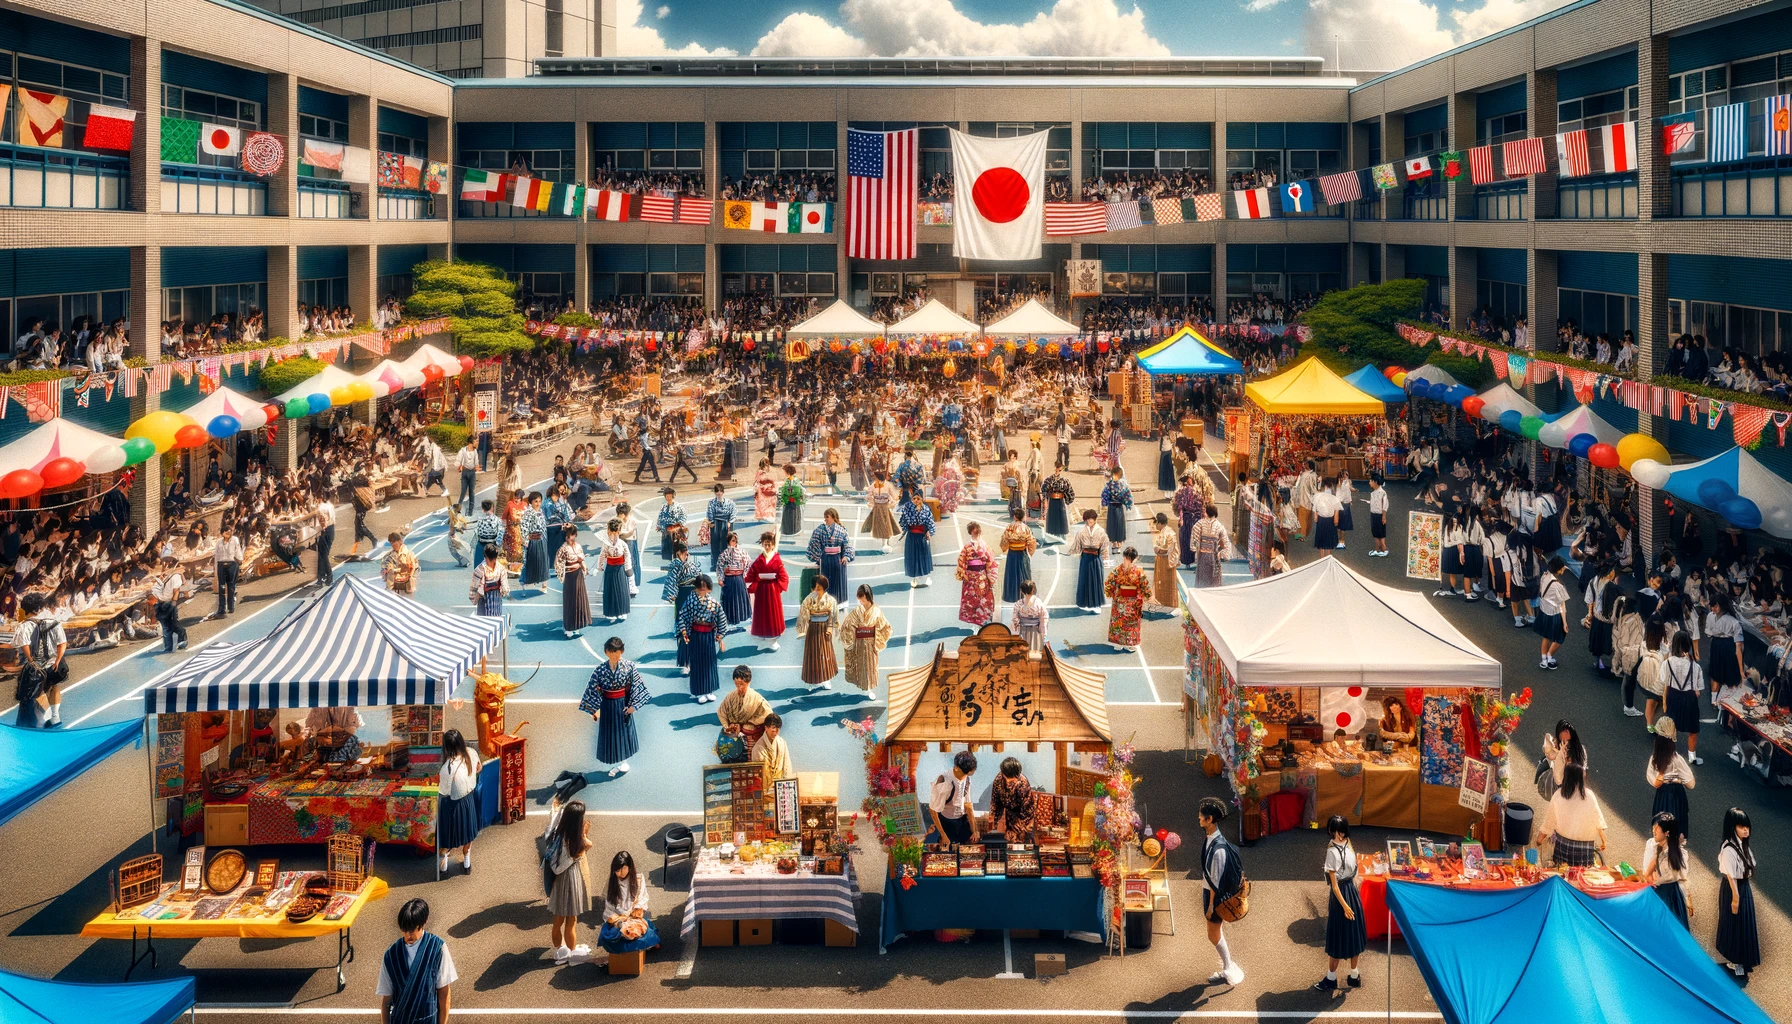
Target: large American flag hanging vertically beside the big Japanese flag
<point x="881" y="200"/>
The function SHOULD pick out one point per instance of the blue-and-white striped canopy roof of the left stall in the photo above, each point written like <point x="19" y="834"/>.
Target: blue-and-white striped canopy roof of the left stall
<point x="354" y="647"/>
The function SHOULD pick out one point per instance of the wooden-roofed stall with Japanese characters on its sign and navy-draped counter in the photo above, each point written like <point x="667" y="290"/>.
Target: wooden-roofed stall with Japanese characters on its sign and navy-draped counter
<point x="986" y="695"/>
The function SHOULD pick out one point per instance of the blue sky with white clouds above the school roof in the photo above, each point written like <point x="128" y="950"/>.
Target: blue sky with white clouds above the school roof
<point x="1370" y="33"/>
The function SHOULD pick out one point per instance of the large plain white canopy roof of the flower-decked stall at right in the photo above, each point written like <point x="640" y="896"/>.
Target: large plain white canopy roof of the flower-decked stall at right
<point x="1325" y="625"/>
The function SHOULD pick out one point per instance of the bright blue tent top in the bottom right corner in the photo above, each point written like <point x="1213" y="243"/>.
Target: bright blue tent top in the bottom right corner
<point x="1555" y="953"/>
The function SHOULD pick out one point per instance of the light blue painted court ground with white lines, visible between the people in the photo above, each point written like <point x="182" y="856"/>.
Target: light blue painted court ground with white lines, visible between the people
<point x="676" y="733"/>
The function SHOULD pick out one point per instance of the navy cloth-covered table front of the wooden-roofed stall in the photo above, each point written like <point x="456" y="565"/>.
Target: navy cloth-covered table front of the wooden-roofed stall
<point x="992" y="903"/>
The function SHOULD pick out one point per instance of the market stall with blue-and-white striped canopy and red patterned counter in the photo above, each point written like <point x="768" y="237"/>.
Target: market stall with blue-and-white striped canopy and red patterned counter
<point x="331" y="724"/>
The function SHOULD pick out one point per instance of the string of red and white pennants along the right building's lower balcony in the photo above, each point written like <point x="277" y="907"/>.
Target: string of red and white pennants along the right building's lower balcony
<point x="1748" y="422"/>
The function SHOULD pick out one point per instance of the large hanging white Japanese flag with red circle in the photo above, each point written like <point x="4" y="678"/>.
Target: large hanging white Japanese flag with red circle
<point x="999" y="196"/>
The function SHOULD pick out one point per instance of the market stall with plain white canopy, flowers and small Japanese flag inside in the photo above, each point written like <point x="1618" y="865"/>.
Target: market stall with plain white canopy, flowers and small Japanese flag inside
<point x="1325" y="693"/>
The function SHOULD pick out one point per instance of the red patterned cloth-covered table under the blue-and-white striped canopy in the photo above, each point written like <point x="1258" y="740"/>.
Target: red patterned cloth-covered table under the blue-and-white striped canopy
<point x="386" y="810"/>
